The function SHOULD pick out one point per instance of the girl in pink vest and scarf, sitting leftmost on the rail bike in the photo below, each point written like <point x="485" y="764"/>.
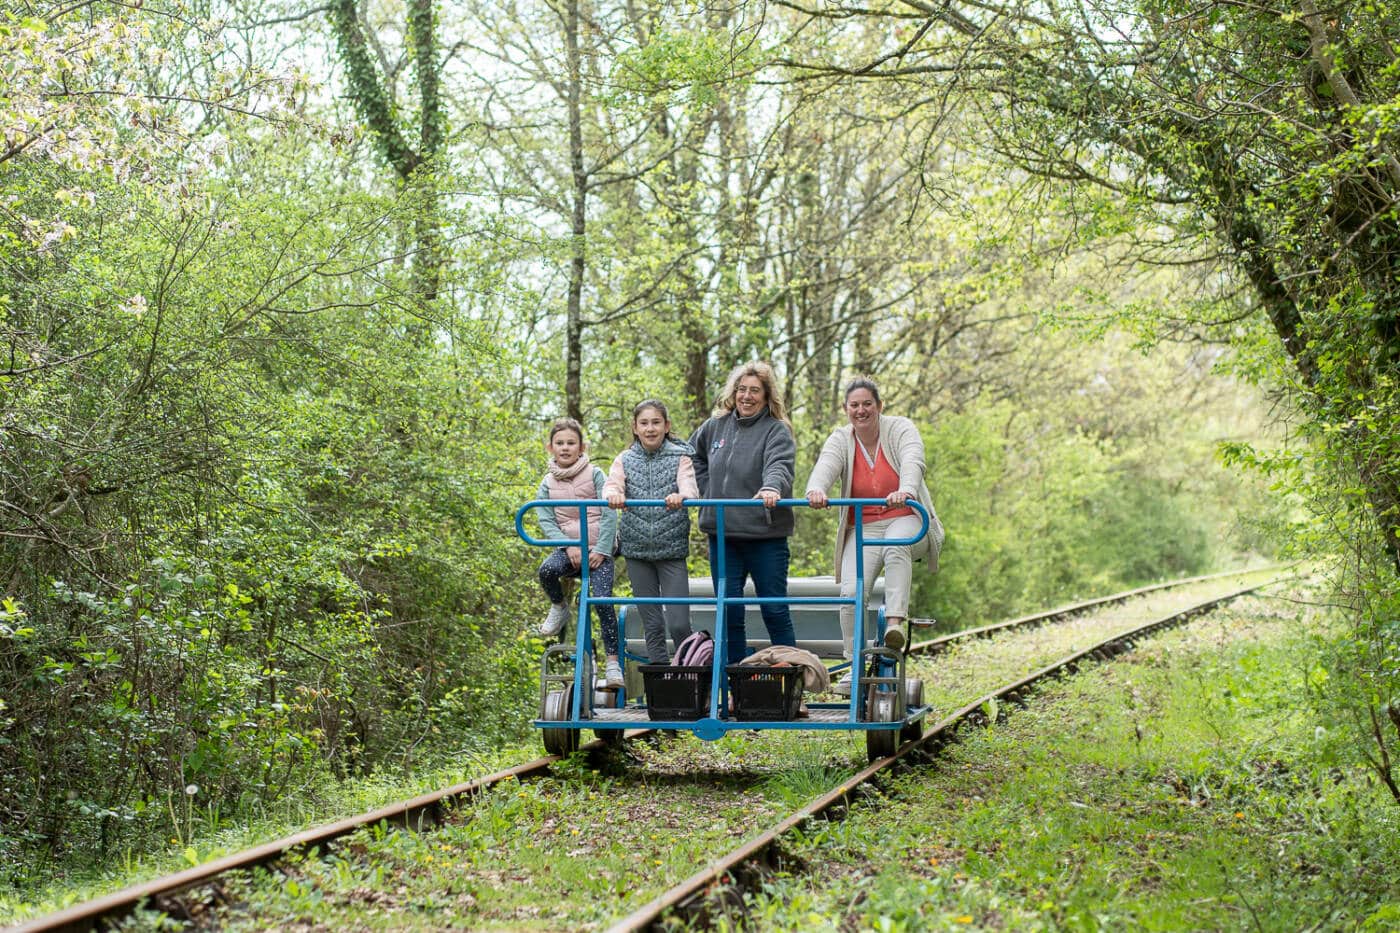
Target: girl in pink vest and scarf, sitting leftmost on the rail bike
<point x="572" y="477"/>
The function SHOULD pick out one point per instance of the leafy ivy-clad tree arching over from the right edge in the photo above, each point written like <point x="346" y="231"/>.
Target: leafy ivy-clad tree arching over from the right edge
<point x="1258" y="144"/>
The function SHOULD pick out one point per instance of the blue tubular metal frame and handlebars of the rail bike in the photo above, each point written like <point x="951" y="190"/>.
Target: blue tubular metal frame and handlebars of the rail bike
<point x="715" y="726"/>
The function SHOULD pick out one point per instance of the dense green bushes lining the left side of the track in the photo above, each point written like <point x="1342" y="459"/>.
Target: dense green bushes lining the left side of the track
<point x="253" y="522"/>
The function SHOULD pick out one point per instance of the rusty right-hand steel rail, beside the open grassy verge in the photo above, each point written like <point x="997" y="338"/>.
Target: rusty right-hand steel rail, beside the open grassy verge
<point x="692" y="896"/>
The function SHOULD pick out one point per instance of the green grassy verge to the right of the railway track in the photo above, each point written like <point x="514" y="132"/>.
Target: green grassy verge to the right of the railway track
<point x="1175" y="789"/>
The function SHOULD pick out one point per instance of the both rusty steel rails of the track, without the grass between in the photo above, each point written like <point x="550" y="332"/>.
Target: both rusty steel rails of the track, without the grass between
<point x="194" y="893"/>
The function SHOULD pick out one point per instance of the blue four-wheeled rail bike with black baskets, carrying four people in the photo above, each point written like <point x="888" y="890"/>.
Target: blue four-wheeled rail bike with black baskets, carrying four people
<point x="715" y="700"/>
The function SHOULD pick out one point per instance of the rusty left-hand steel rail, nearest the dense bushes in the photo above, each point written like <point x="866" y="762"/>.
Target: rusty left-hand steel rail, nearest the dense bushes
<point x="428" y="810"/>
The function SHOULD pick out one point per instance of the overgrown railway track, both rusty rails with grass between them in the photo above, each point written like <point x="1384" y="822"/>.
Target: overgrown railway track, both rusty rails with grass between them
<point x="579" y="843"/>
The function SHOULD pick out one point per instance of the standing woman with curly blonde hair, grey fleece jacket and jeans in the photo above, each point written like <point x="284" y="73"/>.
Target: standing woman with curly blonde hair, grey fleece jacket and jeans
<point x="747" y="452"/>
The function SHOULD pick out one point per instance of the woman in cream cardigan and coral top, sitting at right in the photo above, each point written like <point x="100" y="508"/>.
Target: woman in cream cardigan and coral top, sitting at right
<point x="877" y="457"/>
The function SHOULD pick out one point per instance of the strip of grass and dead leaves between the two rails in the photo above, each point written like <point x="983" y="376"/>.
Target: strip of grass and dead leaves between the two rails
<point x="587" y="847"/>
